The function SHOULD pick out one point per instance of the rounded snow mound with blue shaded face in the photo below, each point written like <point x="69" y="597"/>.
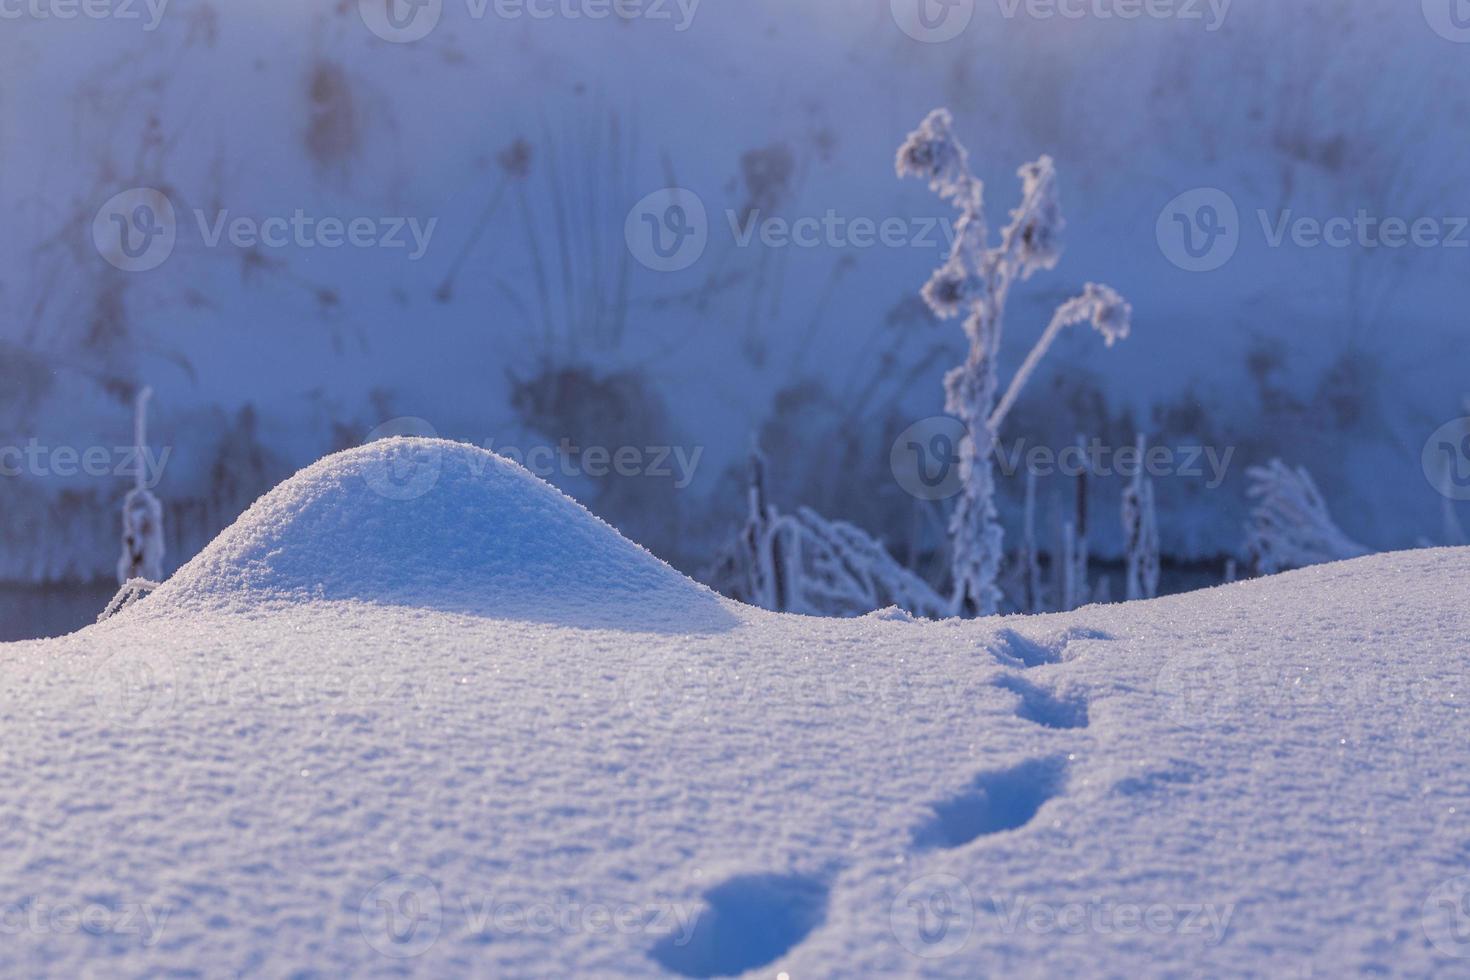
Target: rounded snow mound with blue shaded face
<point x="446" y="527"/>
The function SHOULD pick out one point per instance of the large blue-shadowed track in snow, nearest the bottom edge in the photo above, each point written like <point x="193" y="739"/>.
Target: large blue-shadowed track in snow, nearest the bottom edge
<point x="750" y="922"/>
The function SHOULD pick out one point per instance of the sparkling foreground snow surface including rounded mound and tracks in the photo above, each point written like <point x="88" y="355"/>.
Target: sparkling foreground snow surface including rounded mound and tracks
<point x="430" y="734"/>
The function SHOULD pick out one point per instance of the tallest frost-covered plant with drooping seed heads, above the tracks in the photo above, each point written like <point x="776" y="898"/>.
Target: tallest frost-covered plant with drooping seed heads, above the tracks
<point x="975" y="280"/>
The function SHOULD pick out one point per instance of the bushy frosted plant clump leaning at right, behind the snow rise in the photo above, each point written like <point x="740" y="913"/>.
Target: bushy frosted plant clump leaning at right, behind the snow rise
<point x="1290" y="524"/>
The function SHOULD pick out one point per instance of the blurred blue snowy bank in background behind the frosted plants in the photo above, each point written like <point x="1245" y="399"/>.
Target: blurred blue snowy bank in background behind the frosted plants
<point x="533" y="145"/>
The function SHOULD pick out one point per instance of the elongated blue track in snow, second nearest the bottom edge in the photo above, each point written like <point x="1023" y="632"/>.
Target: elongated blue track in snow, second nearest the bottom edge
<point x="996" y="801"/>
